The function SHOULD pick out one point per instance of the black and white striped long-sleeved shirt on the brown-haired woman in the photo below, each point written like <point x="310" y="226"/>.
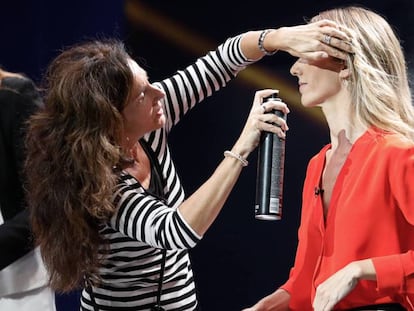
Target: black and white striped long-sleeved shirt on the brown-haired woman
<point x="144" y="224"/>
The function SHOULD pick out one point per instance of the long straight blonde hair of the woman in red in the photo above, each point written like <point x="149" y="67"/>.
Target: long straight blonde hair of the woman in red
<point x="378" y="80"/>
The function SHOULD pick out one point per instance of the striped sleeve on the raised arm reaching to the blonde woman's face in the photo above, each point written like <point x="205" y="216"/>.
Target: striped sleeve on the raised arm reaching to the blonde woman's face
<point x="208" y="74"/>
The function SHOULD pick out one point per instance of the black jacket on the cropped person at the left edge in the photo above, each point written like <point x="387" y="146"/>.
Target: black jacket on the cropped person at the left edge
<point x="18" y="100"/>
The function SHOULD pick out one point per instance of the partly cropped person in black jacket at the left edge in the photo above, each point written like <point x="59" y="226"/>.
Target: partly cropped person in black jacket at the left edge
<point x="23" y="277"/>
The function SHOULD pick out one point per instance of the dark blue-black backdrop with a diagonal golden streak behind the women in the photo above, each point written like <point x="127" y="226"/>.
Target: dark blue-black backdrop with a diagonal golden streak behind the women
<point x="240" y="259"/>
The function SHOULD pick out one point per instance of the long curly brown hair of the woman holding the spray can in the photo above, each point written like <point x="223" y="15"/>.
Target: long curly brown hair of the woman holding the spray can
<point x="73" y="145"/>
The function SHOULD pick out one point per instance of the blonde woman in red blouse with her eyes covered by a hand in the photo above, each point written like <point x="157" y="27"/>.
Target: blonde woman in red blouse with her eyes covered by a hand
<point x="356" y="237"/>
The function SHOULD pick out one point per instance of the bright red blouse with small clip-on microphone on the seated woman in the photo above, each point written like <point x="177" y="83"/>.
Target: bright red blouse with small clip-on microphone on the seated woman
<point x="371" y="215"/>
